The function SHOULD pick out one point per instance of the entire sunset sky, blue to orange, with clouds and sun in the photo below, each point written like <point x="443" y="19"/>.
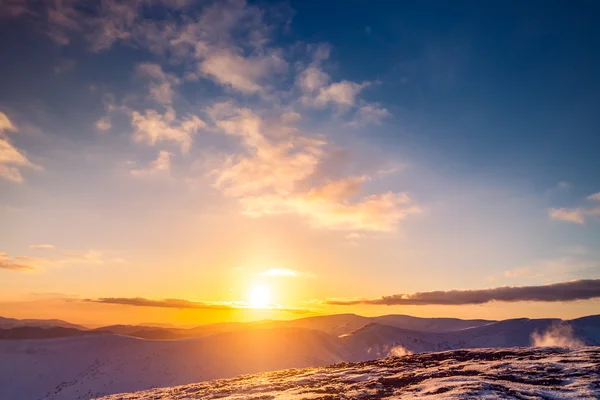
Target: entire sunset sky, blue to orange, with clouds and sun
<point x="192" y="161"/>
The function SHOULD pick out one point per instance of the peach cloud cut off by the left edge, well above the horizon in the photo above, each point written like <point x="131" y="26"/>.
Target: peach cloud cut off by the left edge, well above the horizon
<point x="11" y="158"/>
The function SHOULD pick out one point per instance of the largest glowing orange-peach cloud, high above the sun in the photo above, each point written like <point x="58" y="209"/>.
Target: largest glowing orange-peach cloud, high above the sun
<point x="278" y="173"/>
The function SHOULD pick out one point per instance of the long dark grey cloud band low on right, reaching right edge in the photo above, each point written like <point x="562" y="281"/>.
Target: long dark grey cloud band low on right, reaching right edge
<point x="565" y="291"/>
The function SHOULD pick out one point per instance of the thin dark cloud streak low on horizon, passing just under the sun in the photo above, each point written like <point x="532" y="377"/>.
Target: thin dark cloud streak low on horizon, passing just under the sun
<point x="184" y="304"/>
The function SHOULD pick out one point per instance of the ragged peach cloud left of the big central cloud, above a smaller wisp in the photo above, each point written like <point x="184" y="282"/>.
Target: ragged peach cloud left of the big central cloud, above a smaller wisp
<point x="152" y="127"/>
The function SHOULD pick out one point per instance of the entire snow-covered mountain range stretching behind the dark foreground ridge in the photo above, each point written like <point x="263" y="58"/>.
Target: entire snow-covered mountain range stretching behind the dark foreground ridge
<point x="98" y="362"/>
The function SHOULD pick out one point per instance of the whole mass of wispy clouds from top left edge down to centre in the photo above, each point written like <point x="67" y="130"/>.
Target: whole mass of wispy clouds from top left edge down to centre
<point x="277" y="167"/>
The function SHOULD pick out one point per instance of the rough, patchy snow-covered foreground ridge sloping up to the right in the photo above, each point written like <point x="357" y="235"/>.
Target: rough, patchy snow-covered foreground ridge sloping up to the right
<point x="521" y="373"/>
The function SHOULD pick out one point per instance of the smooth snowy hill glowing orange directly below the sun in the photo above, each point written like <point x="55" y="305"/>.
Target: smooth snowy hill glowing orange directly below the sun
<point x="93" y="365"/>
